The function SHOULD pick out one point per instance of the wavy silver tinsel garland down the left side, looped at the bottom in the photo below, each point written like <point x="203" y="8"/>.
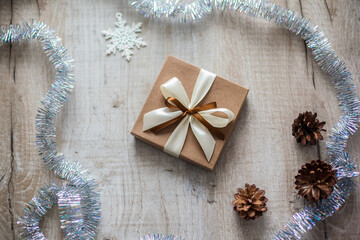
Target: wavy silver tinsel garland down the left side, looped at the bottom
<point x="78" y="200"/>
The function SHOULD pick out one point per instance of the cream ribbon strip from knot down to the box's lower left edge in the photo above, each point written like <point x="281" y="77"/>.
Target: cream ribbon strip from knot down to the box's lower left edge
<point x="176" y="141"/>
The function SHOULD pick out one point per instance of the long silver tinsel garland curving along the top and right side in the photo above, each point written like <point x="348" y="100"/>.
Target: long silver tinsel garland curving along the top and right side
<point x="324" y="55"/>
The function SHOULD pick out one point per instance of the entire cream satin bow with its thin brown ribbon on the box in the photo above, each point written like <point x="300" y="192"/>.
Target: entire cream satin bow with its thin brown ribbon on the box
<point x="200" y="118"/>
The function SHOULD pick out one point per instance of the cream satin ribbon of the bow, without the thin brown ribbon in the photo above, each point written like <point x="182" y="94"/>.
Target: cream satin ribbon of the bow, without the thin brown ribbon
<point x="174" y="88"/>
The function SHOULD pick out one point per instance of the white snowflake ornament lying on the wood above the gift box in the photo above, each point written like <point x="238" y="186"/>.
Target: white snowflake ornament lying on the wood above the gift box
<point x="123" y="38"/>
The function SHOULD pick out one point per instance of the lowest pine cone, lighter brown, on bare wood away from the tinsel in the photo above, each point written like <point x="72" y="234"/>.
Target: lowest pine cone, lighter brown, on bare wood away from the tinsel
<point x="250" y="203"/>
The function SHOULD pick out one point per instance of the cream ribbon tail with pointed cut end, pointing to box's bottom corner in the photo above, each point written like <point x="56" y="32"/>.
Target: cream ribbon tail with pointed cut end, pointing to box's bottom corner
<point x="204" y="137"/>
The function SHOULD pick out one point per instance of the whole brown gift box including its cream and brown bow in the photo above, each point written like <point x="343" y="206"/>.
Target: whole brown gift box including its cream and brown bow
<point x="190" y="113"/>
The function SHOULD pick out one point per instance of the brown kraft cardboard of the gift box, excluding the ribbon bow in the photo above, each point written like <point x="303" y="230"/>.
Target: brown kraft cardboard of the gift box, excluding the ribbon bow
<point x="226" y="94"/>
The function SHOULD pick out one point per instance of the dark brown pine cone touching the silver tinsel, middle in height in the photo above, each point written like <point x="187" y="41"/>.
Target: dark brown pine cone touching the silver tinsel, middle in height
<point x="315" y="180"/>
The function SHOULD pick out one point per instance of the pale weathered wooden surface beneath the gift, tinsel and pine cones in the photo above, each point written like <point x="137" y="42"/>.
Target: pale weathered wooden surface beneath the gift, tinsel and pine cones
<point x="144" y="190"/>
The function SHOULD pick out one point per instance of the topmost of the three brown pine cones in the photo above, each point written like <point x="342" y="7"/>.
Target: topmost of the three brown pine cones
<point x="306" y="128"/>
